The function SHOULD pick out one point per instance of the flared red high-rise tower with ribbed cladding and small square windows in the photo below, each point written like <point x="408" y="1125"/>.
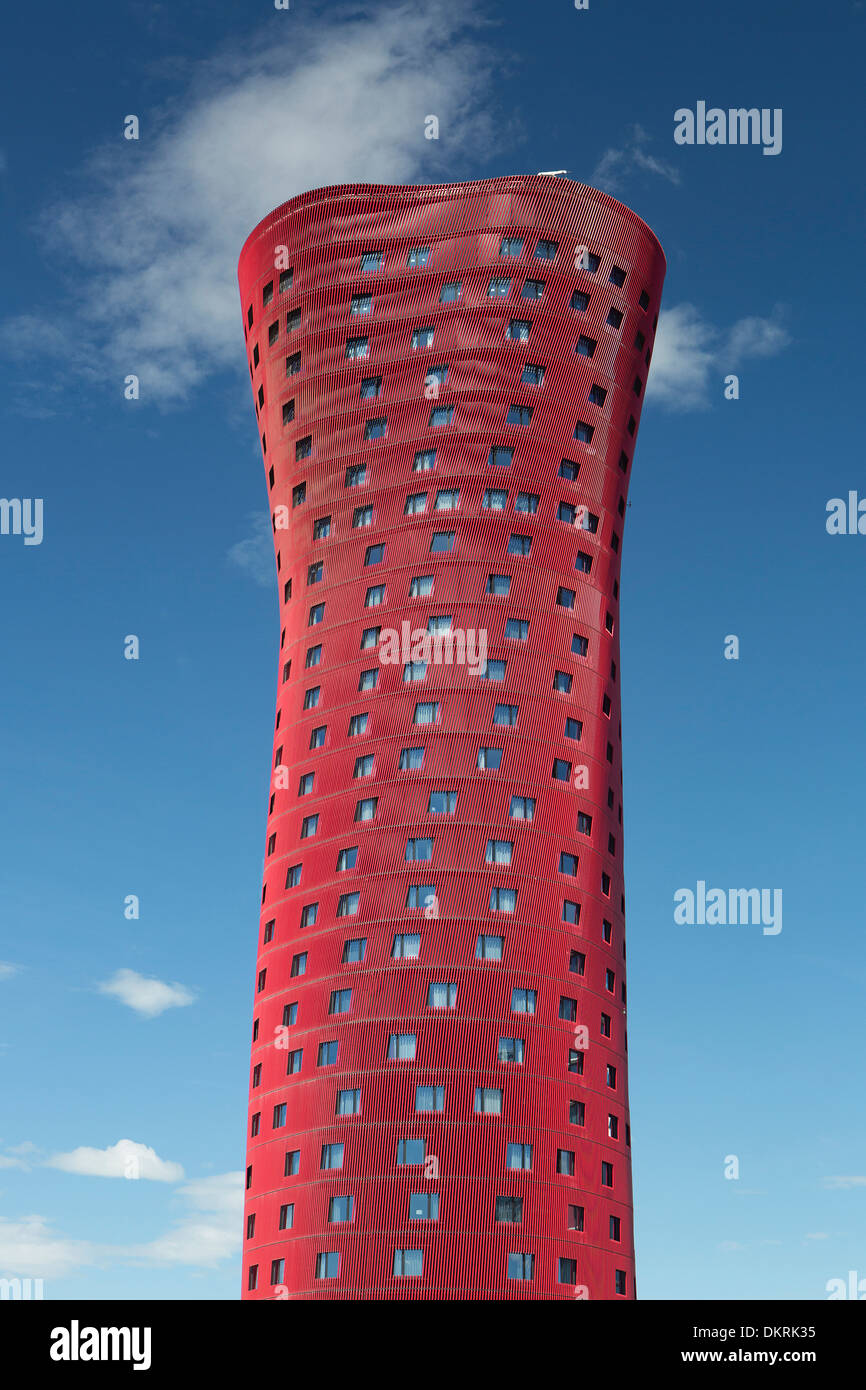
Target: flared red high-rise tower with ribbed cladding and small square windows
<point x="448" y="383"/>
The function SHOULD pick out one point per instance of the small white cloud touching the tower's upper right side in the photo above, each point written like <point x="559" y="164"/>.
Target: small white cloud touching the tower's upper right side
<point x="690" y="352"/>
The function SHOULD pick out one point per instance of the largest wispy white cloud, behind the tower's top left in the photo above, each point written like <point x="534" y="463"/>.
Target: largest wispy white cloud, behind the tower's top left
<point x="154" y="248"/>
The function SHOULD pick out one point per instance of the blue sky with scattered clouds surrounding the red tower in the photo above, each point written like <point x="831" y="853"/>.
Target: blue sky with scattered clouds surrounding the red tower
<point x="151" y="778"/>
